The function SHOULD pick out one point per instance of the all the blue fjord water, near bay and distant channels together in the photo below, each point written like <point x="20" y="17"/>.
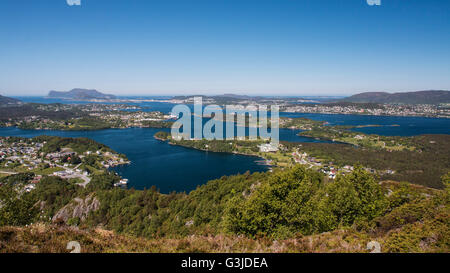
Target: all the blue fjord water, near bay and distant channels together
<point x="174" y="168"/>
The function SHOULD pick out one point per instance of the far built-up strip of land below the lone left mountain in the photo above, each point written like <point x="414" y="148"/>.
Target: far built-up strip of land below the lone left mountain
<point x="83" y="117"/>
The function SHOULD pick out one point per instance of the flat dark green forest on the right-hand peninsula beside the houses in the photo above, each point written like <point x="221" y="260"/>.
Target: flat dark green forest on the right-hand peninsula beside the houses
<point x="424" y="166"/>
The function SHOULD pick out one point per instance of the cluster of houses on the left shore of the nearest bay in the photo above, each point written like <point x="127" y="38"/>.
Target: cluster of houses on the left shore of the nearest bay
<point x="19" y="155"/>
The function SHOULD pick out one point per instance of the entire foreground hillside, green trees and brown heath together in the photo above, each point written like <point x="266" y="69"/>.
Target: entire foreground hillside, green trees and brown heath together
<point x="290" y="210"/>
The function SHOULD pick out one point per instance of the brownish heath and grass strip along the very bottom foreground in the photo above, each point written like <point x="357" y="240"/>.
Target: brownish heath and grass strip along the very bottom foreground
<point x="415" y="237"/>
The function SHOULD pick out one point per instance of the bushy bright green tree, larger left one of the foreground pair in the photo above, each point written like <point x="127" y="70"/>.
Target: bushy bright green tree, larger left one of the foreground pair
<point x="276" y="207"/>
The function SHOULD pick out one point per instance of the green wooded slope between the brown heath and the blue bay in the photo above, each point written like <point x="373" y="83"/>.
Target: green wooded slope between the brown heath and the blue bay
<point x="285" y="204"/>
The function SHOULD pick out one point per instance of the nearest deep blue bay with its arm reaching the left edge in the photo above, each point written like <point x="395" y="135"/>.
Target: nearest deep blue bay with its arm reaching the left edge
<point x="170" y="168"/>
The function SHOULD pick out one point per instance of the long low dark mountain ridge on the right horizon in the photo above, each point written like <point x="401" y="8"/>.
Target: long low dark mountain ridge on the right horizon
<point x="418" y="97"/>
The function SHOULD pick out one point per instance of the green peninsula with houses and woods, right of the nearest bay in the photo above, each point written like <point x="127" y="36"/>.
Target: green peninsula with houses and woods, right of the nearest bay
<point x="419" y="159"/>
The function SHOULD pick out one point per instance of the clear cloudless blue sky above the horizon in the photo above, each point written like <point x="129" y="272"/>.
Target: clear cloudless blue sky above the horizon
<point x="284" y="47"/>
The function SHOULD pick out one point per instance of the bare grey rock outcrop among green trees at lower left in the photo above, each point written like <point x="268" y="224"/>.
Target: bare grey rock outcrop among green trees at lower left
<point x="78" y="208"/>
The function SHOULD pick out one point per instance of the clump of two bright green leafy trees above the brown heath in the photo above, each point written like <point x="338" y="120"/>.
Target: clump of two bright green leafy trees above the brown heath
<point x="297" y="201"/>
